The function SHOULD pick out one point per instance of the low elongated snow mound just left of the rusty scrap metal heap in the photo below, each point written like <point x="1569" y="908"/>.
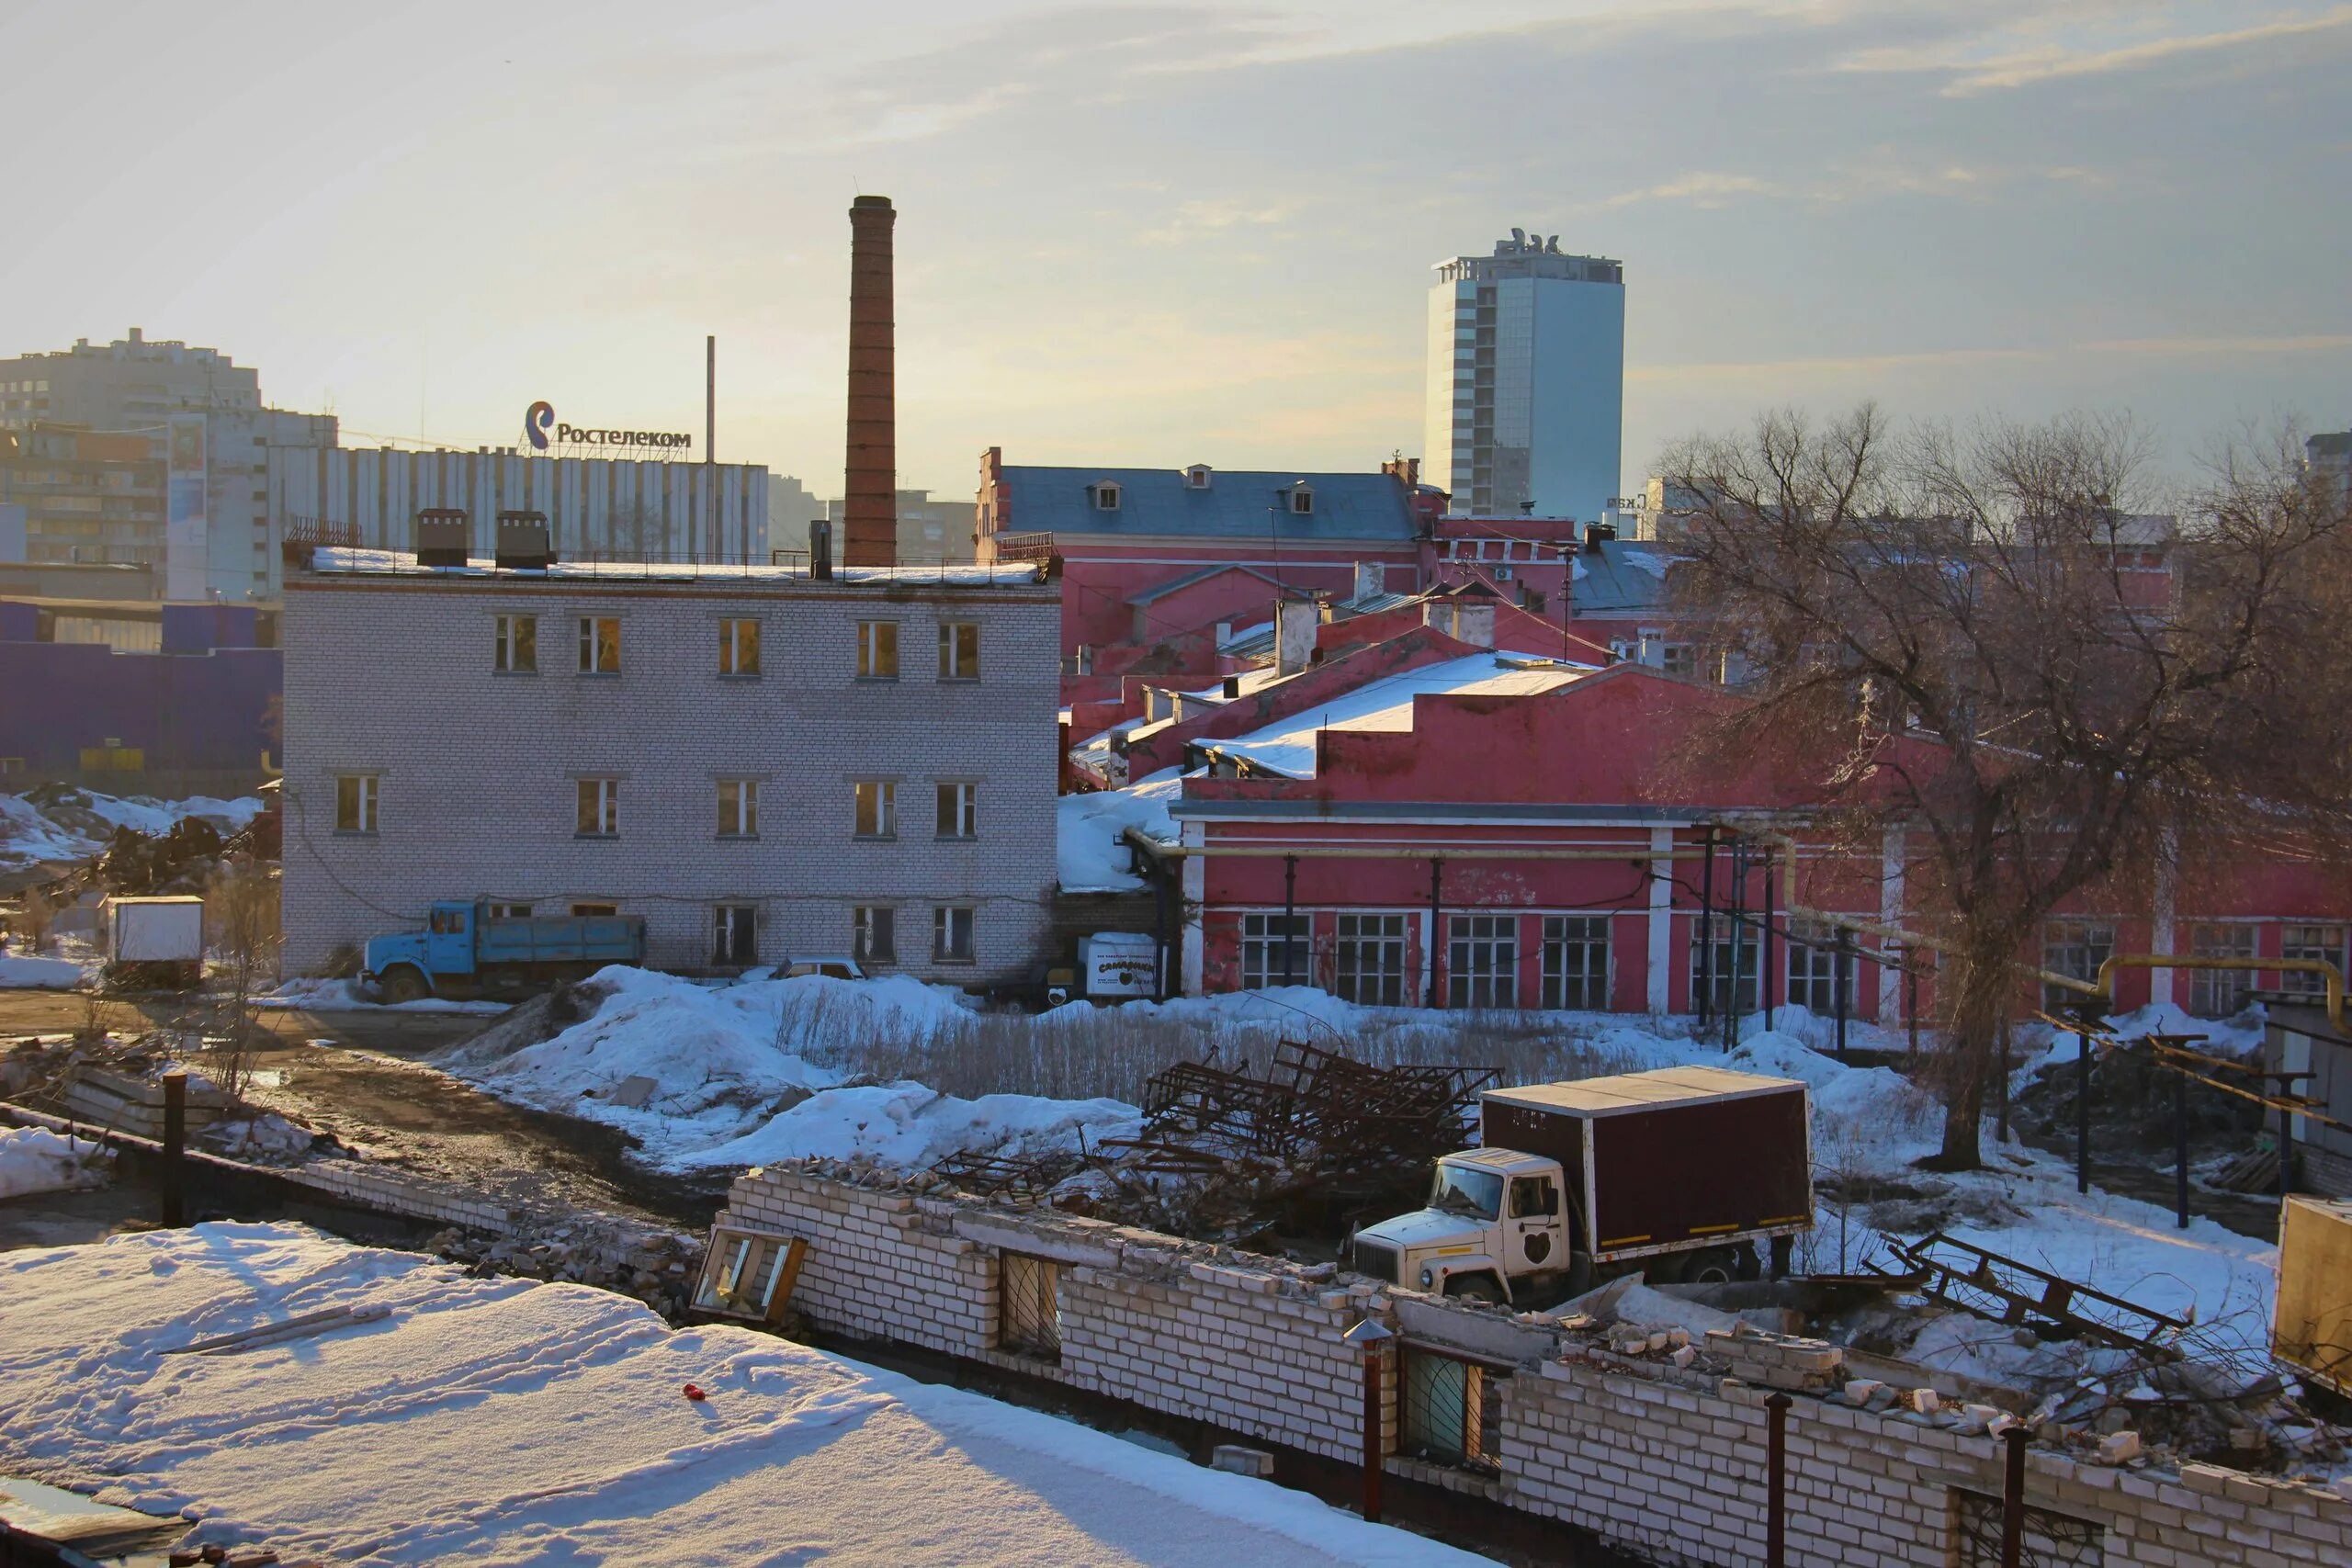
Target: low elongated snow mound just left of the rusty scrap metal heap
<point x="914" y="1127"/>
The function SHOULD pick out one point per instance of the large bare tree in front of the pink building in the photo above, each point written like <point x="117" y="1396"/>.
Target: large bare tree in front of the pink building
<point x="1996" y="643"/>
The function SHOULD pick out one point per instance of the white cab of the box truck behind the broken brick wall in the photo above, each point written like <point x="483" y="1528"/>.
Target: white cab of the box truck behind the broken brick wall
<point x="1497" y="1219"/>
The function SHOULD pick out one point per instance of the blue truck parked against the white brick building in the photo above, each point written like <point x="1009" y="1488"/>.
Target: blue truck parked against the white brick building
<point x="465" y="951"/>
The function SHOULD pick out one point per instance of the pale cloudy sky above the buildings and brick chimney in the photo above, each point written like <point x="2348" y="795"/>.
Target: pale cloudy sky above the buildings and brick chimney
<point x="1165" y="234"/>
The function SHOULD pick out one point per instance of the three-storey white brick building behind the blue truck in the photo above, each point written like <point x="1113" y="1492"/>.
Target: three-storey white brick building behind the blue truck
<point x="759" y="763"/>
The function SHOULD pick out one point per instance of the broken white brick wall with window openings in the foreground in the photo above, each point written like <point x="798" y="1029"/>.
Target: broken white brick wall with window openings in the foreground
<point x="1655" y="1449"/>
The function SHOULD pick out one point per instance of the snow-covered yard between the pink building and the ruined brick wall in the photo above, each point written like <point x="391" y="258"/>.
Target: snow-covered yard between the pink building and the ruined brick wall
<point x="756" y="1076"/>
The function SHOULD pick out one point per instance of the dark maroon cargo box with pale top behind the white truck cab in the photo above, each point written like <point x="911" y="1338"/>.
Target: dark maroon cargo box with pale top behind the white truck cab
<point x="1669" y="1158"/>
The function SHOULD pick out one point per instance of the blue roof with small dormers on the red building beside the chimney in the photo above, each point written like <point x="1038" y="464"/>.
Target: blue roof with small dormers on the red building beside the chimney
<point x="1156" y="502"/>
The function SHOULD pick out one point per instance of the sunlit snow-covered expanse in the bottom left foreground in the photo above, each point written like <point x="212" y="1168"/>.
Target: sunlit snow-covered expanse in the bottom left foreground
<point x="490" y="1421"/>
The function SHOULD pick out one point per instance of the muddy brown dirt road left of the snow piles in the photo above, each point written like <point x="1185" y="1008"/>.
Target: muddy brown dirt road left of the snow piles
<point x="359" y="1076"/>
